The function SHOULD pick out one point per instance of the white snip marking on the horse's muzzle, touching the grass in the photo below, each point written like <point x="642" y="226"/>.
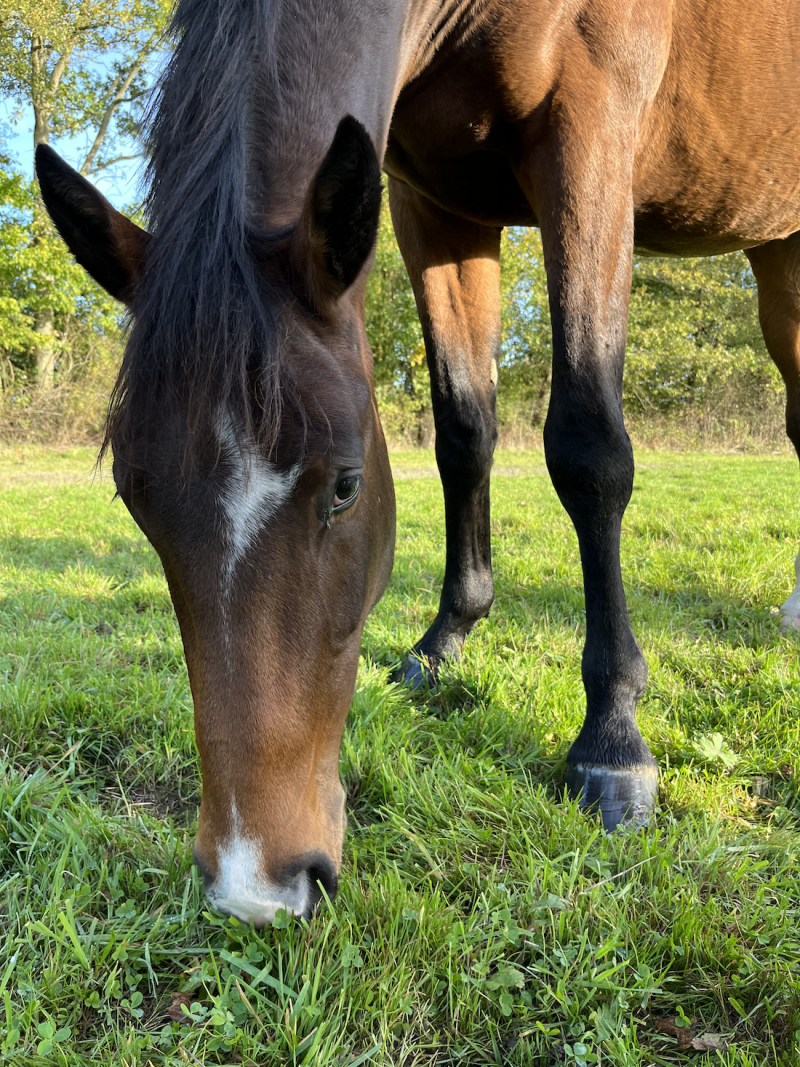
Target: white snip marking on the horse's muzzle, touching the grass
<point x="243" y="889"/>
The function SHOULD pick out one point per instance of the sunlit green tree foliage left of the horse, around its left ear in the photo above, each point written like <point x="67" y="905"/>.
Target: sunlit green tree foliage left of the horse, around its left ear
<point x="84" y="68"/>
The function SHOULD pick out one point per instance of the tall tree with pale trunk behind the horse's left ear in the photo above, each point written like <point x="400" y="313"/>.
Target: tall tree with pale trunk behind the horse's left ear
<point x="84" y="68"/>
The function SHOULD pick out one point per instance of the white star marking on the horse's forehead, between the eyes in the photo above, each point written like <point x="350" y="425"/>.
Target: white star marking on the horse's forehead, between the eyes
<point x="253" y="493"/>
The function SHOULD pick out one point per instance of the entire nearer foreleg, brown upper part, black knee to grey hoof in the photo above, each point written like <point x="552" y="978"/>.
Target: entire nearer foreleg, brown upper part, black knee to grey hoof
<point x="581" y="183"/>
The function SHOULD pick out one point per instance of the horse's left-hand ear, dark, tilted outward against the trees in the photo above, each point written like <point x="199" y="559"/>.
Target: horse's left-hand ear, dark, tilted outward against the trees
<point x="110" y="247"/>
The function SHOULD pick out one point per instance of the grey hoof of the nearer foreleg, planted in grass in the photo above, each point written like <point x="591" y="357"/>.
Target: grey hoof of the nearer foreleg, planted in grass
<point x="625" y="797"/>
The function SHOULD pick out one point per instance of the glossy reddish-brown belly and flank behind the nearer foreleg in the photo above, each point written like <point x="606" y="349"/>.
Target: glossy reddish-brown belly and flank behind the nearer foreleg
<point x="718" y="166"/>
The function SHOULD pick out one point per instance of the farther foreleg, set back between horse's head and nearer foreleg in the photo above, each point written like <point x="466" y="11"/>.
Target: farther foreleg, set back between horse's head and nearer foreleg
<point x="454" y="267"/>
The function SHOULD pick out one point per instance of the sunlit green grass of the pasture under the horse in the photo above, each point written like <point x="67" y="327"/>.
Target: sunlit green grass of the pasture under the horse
<point x="482" y="919"/>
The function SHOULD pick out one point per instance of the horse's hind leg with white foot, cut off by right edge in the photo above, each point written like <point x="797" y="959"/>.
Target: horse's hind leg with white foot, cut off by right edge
<point x="777" y="269"/>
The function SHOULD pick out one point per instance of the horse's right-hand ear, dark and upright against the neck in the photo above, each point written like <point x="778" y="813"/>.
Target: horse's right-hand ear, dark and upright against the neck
<point x="339" y="227"/>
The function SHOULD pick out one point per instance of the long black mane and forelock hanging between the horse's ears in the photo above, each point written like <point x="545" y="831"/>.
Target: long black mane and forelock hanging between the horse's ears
<point x="207" y="326"/>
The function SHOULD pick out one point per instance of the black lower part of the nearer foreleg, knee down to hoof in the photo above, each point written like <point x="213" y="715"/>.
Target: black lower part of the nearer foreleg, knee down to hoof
<point x="591" y="465"/>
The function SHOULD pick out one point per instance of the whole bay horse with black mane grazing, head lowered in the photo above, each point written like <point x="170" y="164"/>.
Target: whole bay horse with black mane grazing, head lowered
<point x="246" y="439"/>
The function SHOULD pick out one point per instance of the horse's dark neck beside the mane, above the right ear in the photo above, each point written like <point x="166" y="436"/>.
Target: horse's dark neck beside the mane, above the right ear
<point x="331" y="60"/>
